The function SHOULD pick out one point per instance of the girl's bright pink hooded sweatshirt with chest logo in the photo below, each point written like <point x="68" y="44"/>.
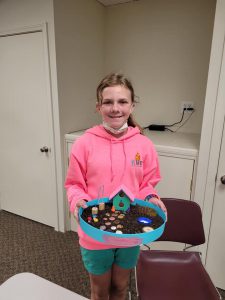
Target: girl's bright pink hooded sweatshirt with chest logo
<point x="99" y="159"/>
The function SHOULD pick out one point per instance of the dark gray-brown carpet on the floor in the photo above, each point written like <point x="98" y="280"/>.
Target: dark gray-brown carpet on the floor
<point x="28" y="246"/>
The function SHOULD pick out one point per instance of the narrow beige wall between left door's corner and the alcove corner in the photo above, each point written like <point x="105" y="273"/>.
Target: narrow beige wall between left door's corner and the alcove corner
<point x="79" y="30"/>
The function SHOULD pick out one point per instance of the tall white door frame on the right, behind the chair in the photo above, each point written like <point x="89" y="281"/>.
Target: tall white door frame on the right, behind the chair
<point x="212" y="126"/>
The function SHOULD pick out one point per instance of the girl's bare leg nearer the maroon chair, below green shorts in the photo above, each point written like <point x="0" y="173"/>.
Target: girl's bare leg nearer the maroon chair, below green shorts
<point x="119" y="283"/>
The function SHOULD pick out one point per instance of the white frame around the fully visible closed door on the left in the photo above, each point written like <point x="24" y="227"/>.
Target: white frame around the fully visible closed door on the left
<point x="50" y="107"/>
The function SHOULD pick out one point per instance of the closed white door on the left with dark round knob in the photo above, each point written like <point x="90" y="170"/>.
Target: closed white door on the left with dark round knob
<point x="27" y="175"/>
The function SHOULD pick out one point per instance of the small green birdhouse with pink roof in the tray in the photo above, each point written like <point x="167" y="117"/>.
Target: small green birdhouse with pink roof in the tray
<point x="121" y="198"/>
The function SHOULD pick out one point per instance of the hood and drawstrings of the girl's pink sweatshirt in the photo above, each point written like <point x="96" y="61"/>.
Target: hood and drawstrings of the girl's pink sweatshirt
<point x="102" y="133"/>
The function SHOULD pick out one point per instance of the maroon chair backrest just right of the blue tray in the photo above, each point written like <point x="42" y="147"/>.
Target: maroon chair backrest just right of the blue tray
<point x="184" y="222"/>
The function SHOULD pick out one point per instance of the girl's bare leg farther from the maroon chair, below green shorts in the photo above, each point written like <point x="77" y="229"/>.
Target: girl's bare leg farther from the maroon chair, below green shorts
<point x="100" y="286"/>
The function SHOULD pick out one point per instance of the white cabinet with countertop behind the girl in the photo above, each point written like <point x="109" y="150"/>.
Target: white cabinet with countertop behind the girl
<point x="177" y="157"/>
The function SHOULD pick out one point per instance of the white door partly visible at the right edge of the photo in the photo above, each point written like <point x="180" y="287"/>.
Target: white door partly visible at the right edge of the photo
<point x="215" y="259"/>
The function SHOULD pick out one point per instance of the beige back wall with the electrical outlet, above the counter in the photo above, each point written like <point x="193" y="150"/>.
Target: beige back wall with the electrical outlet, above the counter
<point x="164" y="47"/>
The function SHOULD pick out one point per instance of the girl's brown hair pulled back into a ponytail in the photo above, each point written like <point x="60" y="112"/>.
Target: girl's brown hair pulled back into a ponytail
<point x="114" y="79"/>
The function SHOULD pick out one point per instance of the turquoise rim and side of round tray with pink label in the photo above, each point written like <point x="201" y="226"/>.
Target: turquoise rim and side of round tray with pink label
<point x="127" y="240"/>
